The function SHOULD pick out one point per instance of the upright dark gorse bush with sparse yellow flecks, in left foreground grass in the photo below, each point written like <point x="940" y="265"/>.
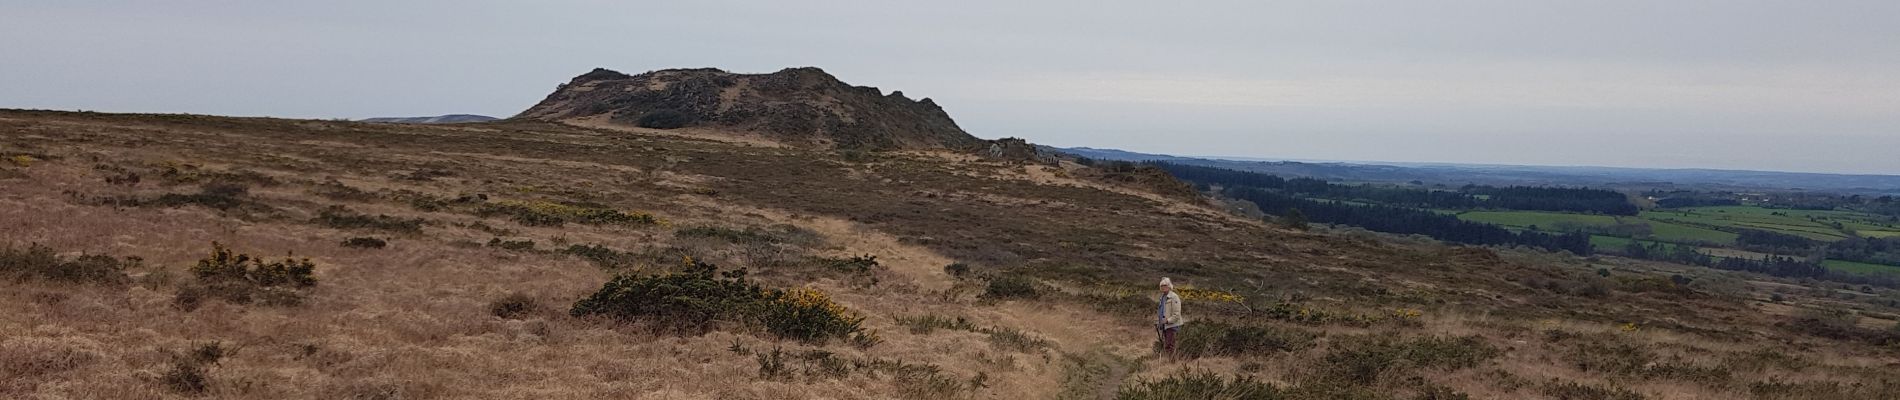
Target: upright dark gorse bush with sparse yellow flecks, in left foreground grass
<point x="242" y="280"/>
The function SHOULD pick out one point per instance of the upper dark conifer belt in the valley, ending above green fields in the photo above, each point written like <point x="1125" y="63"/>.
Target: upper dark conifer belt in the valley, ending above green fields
<point x="1511" y="198"/>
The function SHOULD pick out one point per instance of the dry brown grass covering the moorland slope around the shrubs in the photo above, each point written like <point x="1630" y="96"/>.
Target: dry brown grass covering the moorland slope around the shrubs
<point x="417" y="319"/>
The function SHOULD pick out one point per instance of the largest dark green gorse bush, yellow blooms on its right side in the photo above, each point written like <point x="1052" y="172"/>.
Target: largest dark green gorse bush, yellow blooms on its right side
<point x="698" y="297"/>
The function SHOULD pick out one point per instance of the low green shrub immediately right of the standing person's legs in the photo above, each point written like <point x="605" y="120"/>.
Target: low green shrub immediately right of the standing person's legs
<point x="1209" y="338"/>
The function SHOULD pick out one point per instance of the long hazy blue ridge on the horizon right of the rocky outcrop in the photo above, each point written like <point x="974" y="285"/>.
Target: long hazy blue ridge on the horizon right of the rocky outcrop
<point x="1532" y="175"/>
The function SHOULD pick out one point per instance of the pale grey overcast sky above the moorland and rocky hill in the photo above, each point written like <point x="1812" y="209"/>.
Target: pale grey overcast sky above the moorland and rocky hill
<point x="1715" y="84"/>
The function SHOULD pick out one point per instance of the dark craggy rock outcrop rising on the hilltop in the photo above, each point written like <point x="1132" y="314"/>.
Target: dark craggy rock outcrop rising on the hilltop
<point x="793" y="105"/>
